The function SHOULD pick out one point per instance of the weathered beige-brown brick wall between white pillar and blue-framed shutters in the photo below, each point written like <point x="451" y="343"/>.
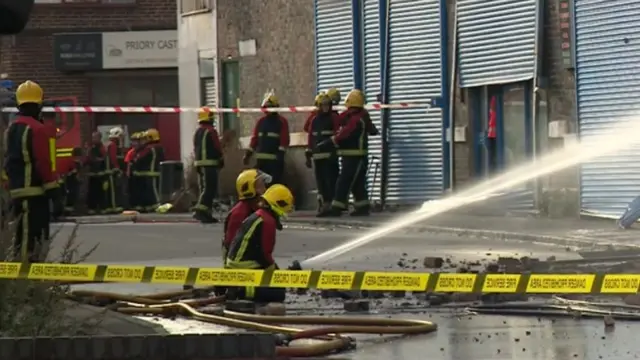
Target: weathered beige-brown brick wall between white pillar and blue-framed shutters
<point x="283" y="30"/>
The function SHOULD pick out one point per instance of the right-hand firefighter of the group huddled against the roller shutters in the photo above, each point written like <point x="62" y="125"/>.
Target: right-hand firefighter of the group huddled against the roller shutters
<point x="352" y="144"/>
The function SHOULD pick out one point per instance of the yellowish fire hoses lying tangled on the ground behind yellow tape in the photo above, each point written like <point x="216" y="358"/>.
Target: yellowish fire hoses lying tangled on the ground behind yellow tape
<point x="329" y="334"/>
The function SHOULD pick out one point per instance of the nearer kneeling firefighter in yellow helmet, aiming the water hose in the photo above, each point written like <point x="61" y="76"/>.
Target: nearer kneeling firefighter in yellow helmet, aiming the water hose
<point x="254" y="243"/>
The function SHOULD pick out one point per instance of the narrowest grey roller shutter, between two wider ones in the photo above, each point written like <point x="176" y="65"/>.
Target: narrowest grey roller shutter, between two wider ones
<point x="372" y="87"/>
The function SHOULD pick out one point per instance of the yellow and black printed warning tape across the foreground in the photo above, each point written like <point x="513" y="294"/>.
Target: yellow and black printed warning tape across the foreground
<point x="328" y="279"/>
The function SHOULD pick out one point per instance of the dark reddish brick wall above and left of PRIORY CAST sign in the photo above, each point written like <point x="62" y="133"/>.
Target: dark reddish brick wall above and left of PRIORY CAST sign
<point x="29" y="55"/>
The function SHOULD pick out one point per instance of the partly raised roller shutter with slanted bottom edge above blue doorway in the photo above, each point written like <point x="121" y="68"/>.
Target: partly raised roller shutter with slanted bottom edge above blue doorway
<point x="496" y="41"/>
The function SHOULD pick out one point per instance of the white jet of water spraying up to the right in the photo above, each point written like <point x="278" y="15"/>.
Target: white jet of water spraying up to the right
<point x="618" y="138"/>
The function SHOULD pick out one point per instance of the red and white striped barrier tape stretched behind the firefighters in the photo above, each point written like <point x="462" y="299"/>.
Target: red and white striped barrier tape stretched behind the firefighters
<point x="156" y="109"/>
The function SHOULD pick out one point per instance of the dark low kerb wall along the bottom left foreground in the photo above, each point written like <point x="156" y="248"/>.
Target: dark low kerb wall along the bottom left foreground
<point x="148" y="347"/>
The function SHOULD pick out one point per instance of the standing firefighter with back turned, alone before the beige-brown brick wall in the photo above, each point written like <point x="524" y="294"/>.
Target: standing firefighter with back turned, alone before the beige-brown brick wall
<point x="269" y="141"/>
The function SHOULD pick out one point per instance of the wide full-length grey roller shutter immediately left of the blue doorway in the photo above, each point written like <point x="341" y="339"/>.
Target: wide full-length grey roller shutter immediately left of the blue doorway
<point x="416" y="141"/>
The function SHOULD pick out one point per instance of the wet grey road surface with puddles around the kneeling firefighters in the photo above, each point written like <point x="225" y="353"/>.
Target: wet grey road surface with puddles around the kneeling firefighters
<point x="460" y="336"/>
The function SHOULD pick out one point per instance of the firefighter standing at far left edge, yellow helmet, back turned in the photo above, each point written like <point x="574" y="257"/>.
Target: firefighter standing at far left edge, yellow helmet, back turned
<point x="32" y="181"/>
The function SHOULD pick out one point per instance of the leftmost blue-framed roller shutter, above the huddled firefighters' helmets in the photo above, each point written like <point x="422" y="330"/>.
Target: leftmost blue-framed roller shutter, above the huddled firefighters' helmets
<point x="334" y="44"/>
